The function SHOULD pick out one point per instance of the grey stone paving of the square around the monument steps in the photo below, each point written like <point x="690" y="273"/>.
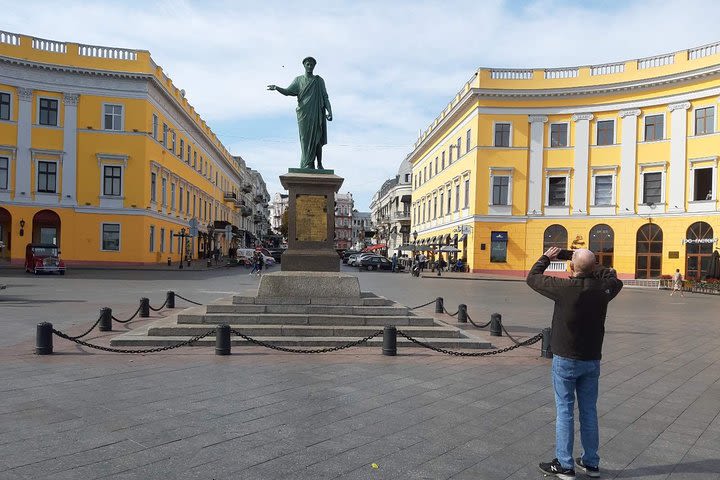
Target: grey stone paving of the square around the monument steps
<point x="264" y="415"/>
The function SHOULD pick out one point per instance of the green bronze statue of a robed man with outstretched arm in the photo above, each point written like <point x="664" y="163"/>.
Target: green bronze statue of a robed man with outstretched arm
<point x="311" y="111"/>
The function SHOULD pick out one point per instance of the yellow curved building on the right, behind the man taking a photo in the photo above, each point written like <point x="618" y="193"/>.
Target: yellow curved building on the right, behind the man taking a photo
<point x="620" y="158"/>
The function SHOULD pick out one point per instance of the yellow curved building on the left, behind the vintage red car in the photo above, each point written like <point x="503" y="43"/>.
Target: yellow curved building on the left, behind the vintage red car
<point x="102" y="155"/>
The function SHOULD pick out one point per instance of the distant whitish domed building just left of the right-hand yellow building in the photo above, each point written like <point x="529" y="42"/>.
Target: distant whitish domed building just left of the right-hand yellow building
<point x="390" y="209"/>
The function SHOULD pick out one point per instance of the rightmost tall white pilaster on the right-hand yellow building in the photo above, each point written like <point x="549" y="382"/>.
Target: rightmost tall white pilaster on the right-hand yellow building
<point x="678" y="157"/>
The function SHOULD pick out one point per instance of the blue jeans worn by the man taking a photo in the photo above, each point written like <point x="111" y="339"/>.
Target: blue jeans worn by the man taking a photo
<point x="571" y="376"/>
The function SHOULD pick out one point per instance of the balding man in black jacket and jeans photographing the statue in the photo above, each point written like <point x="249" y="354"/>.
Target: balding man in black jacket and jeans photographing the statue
<point x="578" y="327"/>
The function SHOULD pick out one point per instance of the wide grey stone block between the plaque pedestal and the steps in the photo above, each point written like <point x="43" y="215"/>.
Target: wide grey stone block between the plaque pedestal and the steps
<point x="308" y="285"/>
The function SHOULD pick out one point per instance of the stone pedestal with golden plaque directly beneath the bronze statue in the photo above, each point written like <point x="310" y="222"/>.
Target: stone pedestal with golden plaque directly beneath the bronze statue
<point x="311" y="222"/>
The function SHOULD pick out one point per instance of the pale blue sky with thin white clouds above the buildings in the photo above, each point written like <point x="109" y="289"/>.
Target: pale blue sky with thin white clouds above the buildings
<point x="389" y="67"/>
